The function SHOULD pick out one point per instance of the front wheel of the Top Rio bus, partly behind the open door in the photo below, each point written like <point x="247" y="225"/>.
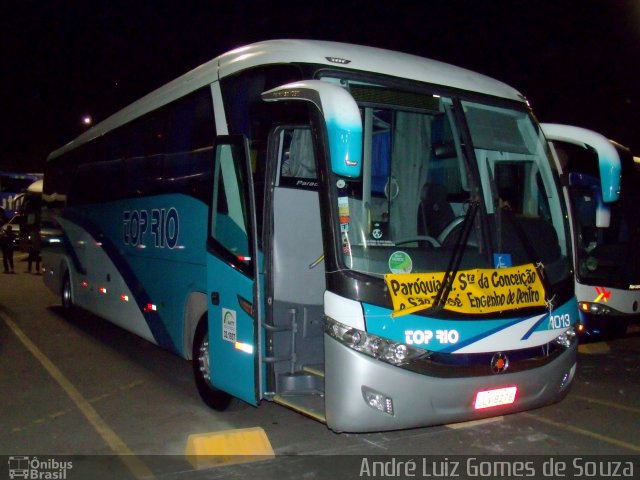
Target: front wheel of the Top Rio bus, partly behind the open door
<point x="213" y="397"/>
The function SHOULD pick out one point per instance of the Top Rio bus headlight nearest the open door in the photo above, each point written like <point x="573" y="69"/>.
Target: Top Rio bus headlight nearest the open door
<point x="395" y="353"/>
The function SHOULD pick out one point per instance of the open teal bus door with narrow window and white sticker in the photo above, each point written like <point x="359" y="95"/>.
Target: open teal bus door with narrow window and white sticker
<point x="232" y="274"/>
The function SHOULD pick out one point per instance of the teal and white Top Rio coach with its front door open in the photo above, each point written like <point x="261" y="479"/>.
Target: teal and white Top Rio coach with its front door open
<point x="377" y="240"/>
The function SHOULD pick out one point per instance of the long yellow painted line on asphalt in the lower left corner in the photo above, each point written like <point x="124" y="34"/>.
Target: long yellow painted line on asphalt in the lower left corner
<point x="133" y="463"/>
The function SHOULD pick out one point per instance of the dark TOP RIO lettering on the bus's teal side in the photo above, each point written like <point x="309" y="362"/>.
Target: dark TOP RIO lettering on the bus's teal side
<point x="162" y="224"/>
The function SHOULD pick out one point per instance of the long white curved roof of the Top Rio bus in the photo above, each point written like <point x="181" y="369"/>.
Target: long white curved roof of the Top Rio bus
<point x="356" y="57"/>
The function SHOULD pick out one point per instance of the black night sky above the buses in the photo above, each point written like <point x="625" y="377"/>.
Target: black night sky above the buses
<point x="576" y="61"/>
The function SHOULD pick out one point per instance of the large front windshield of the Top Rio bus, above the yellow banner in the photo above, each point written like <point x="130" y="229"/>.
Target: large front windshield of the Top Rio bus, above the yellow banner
<point x="430" y="159"/>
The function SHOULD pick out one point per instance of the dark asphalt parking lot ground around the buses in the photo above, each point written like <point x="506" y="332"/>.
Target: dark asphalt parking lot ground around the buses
<point x="78" y="389"/>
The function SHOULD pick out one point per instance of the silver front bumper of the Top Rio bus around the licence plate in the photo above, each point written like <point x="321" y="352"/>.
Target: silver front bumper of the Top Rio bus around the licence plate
<point x="420" y="400"/>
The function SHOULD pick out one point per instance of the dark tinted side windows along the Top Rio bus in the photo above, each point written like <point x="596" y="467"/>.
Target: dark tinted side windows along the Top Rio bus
<point x="168" y="150"/>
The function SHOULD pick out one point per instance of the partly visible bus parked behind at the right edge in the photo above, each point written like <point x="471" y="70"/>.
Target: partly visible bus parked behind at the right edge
<point x="603" y="183"/>
